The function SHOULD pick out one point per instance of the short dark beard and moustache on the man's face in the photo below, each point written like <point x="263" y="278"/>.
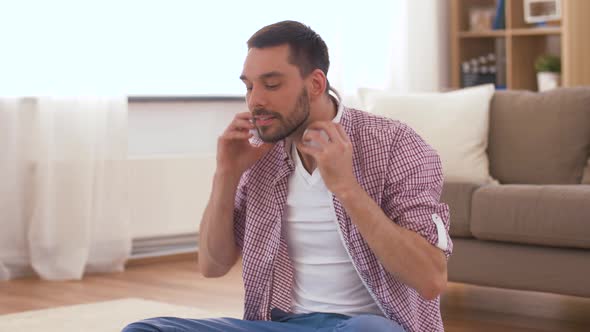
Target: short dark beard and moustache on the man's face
<point x="287" y="126"/>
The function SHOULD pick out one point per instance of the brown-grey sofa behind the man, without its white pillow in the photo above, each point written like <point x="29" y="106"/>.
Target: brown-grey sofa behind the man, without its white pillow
<point x="532" y="231"/>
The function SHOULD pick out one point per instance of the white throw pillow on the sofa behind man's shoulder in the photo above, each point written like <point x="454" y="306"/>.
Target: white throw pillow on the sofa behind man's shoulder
<point x="455" y="124"/>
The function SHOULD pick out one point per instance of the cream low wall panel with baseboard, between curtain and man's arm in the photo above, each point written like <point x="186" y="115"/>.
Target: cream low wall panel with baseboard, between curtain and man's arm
<point x="168" y="194"/>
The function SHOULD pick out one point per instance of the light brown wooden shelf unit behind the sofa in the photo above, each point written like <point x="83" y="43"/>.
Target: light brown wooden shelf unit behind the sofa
<point x="523" y="43"/>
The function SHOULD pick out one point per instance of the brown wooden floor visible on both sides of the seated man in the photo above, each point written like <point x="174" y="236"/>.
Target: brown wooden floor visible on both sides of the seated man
<point x="178" y="281"/>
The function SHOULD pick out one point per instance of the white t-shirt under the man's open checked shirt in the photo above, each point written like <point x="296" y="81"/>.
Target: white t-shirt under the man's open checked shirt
<point x="325" y="278"/>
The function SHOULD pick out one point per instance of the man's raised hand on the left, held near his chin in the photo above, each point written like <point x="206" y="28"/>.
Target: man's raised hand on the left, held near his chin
<point x="235" y="154"/>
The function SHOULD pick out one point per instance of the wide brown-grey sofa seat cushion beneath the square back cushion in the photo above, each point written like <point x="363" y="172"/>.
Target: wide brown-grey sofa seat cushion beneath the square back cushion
<point x="552" y="215"/>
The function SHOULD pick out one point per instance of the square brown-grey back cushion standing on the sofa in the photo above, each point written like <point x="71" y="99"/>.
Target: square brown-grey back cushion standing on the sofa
<point x="540" y="138"/>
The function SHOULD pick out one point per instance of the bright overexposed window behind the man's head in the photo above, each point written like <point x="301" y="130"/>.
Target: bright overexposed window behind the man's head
<point x="175" y="47"/>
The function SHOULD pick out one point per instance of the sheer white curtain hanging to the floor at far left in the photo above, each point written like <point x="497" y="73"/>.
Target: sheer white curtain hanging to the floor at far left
<point x="63" y="192"/>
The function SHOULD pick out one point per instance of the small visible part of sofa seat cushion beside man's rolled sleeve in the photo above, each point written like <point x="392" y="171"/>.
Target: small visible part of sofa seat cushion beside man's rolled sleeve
<point x="458" y="197"/>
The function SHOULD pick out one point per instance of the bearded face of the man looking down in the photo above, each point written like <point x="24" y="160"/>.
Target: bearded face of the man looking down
<point x="276" y="93"/>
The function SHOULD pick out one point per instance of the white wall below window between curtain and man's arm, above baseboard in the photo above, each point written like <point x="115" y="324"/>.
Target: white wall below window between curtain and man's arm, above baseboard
<point x="172" y="160"/>
